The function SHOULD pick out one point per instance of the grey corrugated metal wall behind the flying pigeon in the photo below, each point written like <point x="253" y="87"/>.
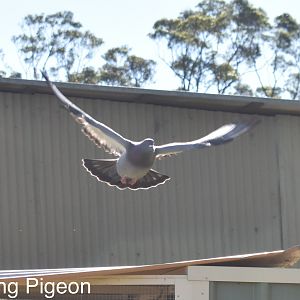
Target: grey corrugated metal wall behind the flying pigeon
<point x="237" y="198"/>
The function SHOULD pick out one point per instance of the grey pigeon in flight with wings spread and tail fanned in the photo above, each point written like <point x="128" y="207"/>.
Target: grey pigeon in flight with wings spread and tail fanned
<point x="132" y="167"/>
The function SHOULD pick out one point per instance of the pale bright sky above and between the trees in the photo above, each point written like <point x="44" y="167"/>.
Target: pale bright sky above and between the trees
<point x="117" y="22"/>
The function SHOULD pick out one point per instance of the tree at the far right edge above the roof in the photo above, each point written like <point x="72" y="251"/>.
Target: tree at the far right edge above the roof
<point x="283" y="43"/>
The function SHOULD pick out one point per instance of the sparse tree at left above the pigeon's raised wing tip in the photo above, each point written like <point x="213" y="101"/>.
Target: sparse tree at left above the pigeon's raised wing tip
<point x="55" y="42"/>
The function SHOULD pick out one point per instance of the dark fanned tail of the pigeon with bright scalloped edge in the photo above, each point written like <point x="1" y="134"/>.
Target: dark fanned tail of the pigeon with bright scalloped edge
<point x="105" y="170"/>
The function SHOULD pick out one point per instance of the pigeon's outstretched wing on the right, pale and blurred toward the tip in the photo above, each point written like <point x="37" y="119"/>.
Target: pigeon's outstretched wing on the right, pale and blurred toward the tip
<point x="222" y="135"/>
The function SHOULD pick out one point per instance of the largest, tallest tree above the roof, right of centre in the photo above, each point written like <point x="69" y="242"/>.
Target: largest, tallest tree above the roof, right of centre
<point x="212" y="46"/>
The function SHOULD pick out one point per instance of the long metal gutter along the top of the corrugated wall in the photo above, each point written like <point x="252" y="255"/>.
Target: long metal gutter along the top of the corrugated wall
<point x="239" y="104"/>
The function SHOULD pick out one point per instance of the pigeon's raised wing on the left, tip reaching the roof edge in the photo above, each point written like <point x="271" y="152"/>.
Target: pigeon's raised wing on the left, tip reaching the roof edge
<point x="102" y="135"/>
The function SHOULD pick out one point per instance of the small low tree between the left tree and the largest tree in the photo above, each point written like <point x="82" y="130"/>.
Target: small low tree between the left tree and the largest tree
<point x="123" y="69"/>
